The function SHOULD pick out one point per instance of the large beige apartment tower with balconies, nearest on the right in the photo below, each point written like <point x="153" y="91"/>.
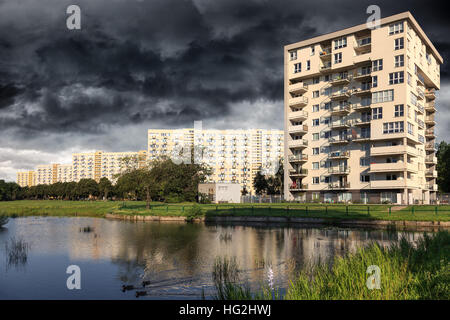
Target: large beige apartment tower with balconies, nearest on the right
<point x="360" y="115"/>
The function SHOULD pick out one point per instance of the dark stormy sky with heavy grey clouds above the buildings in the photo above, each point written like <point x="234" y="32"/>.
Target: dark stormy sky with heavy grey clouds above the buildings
<point x="140" y="64"/>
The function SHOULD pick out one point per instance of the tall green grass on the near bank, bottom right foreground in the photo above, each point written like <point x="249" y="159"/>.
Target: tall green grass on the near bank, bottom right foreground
<point x="407" y="272"/>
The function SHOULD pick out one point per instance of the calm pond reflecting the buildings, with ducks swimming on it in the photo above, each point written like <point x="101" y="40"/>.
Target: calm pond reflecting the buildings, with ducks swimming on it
<point x="177" y="258"/>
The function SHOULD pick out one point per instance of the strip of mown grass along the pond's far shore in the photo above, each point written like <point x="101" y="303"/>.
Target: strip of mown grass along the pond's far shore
<point x="334" y="211"/>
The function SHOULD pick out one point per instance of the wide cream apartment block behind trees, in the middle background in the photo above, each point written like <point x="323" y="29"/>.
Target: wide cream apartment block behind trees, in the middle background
<point x="233" y="155"/>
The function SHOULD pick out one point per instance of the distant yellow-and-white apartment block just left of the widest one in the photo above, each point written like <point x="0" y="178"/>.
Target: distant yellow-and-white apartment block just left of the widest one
<point x="99" y="164"/>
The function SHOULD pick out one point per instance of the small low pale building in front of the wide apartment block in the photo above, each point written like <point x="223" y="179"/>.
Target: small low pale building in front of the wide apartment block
<point x="221" y="192"/>
